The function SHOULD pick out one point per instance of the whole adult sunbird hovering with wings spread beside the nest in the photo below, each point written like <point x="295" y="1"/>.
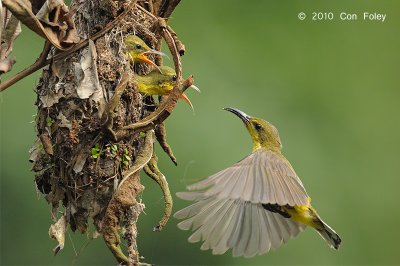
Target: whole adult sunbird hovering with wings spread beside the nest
<point x="256" y="204"/>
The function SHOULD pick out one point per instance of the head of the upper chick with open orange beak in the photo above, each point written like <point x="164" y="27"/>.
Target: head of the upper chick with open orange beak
<point x="137" y="50"/>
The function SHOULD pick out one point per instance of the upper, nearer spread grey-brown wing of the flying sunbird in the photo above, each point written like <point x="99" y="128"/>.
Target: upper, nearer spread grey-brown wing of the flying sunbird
<point x="261" y="177"/>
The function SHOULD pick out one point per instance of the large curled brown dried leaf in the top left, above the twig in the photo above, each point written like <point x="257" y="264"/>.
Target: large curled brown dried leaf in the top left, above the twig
<point x="61" y="32"/>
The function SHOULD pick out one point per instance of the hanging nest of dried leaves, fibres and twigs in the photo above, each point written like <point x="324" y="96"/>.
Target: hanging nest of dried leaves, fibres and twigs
<point x="95" y="131"/>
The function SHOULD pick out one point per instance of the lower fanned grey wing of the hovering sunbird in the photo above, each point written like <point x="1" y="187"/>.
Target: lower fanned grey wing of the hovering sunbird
<point x="246" y="228"/>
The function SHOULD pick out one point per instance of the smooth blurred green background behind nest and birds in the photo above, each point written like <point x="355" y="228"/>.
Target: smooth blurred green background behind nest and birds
<point x="330" y="87"/>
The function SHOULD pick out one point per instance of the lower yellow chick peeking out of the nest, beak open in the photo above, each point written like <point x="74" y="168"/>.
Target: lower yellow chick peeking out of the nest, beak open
<point x="160" y="83"/>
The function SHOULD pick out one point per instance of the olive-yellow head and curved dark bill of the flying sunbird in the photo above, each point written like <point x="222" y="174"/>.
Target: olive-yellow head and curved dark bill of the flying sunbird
<point x="263" y="134"/>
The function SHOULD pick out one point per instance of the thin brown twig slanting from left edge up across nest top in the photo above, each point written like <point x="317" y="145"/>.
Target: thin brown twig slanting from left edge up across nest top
<point x="41" y="62"/>
